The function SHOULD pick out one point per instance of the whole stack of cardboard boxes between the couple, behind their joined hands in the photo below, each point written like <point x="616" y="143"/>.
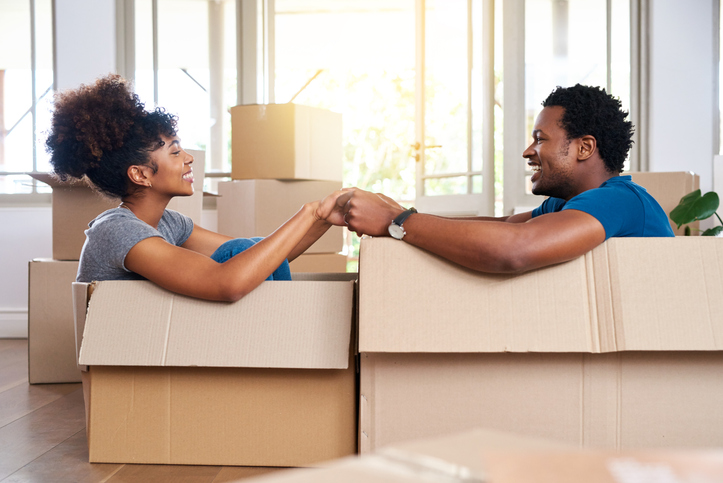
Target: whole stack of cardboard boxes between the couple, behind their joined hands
<point x="283" y="155"/>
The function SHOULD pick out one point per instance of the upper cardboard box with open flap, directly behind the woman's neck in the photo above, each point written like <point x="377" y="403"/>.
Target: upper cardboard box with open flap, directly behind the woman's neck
<point x="75" y="204"/>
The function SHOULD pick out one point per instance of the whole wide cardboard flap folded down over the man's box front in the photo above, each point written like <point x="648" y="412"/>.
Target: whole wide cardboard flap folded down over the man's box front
<point x="650" y="294"/>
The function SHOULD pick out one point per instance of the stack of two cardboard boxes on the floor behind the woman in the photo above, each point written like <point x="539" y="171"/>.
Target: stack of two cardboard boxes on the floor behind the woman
<point x="51" y="338"/>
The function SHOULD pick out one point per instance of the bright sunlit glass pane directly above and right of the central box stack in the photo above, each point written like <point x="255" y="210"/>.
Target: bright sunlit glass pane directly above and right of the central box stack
<point x="366" y="53"/>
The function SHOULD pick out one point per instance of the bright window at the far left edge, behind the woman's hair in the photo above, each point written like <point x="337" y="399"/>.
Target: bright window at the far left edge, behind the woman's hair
<point x="26" y="90"/>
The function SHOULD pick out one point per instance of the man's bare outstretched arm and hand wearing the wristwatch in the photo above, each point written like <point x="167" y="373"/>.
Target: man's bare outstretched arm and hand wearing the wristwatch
<point x="487" y="246"/>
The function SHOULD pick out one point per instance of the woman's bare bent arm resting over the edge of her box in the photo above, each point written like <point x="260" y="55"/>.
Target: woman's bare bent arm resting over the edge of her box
<point x="188" y="272"/>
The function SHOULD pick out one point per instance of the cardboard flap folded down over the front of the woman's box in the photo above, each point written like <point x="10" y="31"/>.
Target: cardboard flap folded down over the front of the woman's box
<point x="279" y="324"/>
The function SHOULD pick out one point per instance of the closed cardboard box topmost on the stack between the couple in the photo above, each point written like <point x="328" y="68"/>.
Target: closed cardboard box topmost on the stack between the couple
<point x="285" y="141"/>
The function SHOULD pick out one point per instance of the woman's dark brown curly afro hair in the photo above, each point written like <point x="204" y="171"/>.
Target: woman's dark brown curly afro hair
<point x="100" y="130"/>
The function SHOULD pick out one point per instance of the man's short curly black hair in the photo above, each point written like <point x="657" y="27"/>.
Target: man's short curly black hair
<point x="592" y="111"/>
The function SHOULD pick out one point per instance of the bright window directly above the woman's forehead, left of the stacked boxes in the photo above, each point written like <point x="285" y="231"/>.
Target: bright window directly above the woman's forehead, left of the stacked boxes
<point x="184" y="59"/>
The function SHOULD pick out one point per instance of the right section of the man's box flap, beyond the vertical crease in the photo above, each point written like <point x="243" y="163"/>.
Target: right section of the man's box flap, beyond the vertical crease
<point x="666" y="292"/>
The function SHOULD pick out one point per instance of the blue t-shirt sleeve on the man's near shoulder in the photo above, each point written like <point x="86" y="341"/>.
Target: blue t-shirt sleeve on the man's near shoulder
<point x="619" y="211"/>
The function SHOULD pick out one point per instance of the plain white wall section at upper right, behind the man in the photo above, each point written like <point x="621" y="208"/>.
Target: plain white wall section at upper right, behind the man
<point x="682" y="88"/>
